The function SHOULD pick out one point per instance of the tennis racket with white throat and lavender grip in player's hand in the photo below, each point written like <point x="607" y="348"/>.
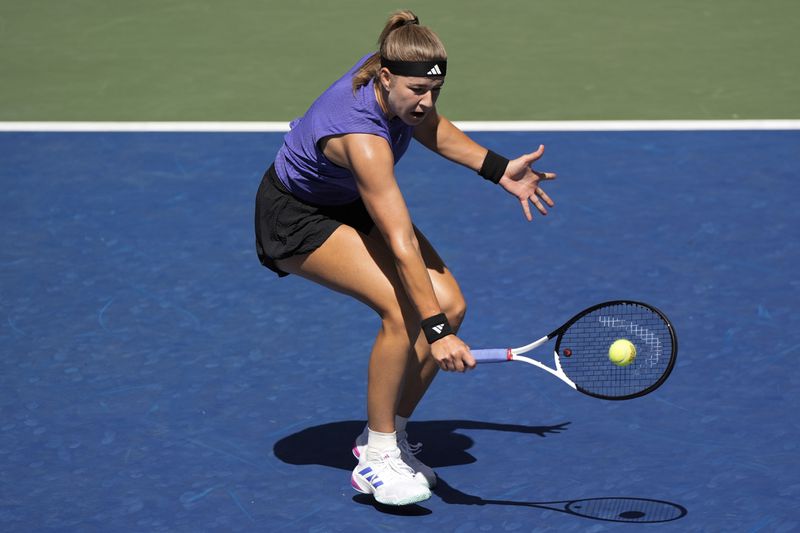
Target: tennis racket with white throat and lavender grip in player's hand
<point x="582" y="345"/>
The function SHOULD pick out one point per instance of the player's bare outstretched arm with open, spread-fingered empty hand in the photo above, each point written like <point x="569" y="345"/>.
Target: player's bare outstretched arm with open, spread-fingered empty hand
<point x="519" y="179"/>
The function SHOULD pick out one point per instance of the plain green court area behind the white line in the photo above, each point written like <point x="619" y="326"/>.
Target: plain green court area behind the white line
<point x="519" y="59"/>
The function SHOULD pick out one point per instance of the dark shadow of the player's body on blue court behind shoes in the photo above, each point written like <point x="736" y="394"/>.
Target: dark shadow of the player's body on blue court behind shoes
<point x="306" y="447"/>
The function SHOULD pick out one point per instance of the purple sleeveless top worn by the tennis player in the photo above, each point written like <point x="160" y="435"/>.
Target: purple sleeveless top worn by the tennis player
<point x="300" y="164"/>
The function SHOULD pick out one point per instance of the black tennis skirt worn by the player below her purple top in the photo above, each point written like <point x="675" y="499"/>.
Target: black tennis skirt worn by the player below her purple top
<point x="287" y="226"/>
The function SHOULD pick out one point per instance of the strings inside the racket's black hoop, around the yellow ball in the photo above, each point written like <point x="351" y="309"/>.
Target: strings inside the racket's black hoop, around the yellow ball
<point x="590" y="337"/>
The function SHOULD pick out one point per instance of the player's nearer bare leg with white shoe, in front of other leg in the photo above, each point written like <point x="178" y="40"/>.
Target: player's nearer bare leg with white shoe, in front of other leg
<point x="361" y="266"/>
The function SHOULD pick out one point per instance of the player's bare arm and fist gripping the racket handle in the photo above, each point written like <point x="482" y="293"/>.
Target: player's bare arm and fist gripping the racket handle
<point x="371" y="161"/>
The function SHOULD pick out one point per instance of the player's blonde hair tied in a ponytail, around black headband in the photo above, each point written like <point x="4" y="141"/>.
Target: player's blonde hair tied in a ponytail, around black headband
<point x="402" y="39"/>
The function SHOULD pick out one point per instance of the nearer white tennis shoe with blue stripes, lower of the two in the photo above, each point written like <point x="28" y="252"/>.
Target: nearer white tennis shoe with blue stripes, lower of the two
<point x="388" y="478"/>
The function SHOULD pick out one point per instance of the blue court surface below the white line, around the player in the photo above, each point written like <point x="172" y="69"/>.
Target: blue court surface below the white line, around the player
<point x="156" y="378"/>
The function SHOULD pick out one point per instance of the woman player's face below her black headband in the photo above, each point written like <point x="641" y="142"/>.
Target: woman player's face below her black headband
<point x="411" y="98"/>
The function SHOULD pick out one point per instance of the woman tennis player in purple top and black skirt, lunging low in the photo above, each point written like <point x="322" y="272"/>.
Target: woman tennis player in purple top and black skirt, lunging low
<point x="329" y="209"/>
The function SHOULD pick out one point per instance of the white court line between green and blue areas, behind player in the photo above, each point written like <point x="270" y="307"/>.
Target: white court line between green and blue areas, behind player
<point x="548" y="125"/>
